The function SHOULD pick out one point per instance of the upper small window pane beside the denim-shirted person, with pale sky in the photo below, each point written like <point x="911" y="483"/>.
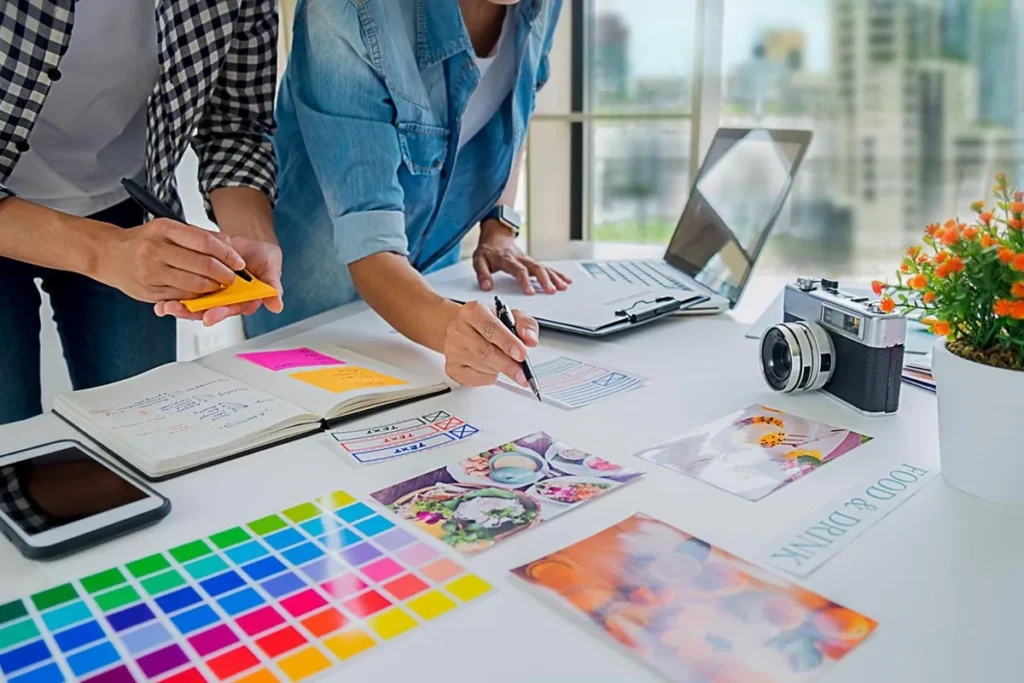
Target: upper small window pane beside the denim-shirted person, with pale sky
<point x="641" y="55"/>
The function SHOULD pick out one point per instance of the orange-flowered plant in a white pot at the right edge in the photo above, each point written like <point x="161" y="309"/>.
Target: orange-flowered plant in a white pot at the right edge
<point x="968" y="284"/>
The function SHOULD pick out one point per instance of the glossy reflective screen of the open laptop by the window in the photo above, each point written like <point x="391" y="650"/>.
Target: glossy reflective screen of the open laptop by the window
<point x="740" y="191"/>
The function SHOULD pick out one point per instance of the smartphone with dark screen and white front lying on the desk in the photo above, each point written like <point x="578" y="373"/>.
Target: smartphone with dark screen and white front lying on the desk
<point x="61" y="498"/>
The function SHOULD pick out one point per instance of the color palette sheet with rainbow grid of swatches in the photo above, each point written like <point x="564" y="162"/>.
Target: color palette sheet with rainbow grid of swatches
<point x="282" y="599"/>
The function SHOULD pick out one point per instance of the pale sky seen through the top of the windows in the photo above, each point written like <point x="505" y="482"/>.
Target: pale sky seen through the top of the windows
<point x="662" y="31"/>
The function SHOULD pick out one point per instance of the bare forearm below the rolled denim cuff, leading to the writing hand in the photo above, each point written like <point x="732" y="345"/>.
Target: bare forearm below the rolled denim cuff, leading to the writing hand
<point x="404" y="298"/>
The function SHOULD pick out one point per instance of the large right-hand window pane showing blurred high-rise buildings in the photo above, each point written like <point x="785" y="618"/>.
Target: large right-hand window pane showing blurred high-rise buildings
<point x="914" y="109"/>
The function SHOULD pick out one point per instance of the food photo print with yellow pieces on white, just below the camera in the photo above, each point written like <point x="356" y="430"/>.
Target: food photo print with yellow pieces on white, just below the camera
<point x="756" y="451"/>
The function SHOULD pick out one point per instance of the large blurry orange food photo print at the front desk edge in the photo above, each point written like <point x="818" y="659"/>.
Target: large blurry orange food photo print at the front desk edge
<point x="693" y="612"/>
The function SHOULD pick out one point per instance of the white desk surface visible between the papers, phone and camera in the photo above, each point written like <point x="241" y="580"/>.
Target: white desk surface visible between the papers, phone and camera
<point x="944" y="575"/>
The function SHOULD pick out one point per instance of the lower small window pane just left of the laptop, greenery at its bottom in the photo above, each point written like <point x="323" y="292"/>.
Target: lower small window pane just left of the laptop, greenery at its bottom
<point x="641" y="180"/>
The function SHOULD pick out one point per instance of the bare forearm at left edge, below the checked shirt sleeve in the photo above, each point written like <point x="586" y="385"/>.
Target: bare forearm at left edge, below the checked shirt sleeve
<point x="42" y="237"/>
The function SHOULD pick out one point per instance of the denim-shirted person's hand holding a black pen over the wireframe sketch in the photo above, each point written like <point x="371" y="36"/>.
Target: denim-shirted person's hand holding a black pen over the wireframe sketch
<point x="479" y="347"/>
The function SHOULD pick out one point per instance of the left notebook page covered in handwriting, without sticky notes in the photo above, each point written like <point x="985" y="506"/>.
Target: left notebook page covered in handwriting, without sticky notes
<point x="178" y="410"/>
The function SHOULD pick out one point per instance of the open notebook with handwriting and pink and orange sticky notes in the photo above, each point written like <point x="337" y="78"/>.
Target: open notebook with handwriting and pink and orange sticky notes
<point x="184" y="416"/>
